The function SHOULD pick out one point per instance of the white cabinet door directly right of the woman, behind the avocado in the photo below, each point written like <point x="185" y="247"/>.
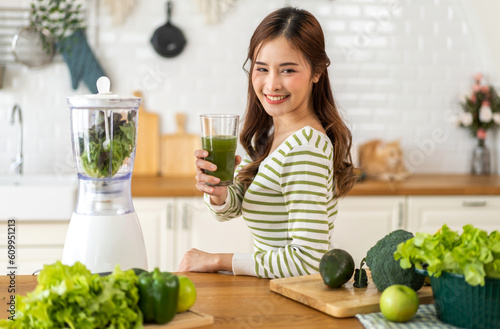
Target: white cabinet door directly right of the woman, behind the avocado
<point x="362" y="221"/>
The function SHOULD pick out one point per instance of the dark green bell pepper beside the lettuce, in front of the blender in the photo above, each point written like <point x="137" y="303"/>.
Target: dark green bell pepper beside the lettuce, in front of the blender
<point x="158" y="294"/>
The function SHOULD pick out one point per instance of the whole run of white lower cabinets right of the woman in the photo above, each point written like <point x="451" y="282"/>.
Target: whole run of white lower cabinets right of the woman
<point x="363" y="220"/>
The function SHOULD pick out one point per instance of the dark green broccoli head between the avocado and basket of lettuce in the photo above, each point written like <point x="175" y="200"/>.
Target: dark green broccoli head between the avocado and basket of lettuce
<point x="385" y="269"/>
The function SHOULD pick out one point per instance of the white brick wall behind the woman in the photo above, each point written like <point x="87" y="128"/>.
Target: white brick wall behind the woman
<point x="398" y="69"/>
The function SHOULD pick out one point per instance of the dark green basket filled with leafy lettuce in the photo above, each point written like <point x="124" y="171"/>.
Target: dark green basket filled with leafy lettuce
<point x="464" y="270"/>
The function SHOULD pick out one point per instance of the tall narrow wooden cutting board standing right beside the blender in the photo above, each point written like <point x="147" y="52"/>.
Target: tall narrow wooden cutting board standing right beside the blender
<point x="147" y="153"/>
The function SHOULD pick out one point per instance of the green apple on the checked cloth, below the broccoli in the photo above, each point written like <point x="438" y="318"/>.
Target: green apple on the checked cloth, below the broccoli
<point x="399" y="303"/>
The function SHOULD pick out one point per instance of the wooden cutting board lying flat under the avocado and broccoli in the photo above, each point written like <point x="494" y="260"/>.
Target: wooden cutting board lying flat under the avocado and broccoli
<point x="343" y="302"/>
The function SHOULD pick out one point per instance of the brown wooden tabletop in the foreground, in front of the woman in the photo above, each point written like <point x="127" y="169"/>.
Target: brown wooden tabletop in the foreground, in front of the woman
<point x="233" y="301"/>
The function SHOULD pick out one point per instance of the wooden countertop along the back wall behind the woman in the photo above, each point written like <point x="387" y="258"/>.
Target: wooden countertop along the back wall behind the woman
<point x="421" y="184"/>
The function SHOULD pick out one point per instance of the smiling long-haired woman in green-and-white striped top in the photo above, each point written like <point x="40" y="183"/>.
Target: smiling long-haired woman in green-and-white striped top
<point x="298" y="155"/>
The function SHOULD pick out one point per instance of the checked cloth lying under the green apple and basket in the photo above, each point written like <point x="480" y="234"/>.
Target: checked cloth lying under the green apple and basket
<point x="425" y="318"/>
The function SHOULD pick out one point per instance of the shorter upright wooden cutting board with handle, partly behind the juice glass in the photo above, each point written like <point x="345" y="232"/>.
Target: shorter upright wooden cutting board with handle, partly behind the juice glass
<point x="177" y="151"/>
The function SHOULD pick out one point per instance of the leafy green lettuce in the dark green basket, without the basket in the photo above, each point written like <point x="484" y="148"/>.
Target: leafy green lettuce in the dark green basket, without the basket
<point x="474" y="253"/>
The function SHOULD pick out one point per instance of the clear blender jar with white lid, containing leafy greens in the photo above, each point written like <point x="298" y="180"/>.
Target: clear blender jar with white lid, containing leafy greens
<point x="104" y="135"/>
